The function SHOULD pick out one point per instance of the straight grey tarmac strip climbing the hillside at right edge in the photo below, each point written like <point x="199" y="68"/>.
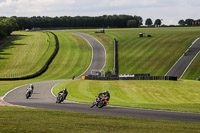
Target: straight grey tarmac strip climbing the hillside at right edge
<point x="179" y="68"/>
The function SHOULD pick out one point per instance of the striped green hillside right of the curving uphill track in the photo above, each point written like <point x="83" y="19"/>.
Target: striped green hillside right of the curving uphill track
<point x="155" y="55"/>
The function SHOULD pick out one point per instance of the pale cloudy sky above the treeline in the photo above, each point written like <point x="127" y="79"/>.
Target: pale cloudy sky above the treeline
<point x="171" y="11"/>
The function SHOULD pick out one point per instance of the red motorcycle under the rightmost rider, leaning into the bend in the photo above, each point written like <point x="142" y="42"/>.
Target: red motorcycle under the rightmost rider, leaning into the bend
<point x="100" y="102"/>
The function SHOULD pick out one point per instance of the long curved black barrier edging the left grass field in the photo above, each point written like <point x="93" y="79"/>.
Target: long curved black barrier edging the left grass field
<point x="43" y="69"/>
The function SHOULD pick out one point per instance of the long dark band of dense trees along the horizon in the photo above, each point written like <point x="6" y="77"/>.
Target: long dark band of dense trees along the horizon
<point x="117" y="21"/>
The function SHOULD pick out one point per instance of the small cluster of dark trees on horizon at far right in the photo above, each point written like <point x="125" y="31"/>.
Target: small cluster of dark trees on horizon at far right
<point x="189" y="22"/>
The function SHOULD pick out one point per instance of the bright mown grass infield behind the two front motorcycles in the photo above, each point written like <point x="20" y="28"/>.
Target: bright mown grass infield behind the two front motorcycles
<point x="180" y="96"/>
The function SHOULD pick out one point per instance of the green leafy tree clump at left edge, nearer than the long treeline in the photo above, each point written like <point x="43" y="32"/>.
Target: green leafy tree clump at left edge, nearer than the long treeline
<point x="7" y="26"/>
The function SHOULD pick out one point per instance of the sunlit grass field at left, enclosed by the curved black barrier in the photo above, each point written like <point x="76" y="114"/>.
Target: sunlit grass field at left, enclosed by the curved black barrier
<point x="26" y="54"/>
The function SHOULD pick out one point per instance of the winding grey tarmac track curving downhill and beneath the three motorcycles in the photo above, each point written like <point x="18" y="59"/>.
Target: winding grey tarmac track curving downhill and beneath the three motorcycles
<point x="43" y="98"/>
